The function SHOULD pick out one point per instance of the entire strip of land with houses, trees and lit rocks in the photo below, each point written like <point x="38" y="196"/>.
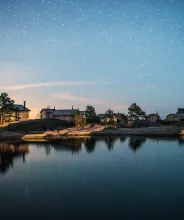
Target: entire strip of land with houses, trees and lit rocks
<point x="76" y="123"/>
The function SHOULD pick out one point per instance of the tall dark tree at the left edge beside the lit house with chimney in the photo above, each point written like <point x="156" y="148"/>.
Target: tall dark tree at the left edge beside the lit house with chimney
<point x="6" y="105"/>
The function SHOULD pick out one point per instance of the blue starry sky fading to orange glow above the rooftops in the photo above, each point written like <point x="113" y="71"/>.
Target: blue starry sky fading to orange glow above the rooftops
<point x="108" y="53"/>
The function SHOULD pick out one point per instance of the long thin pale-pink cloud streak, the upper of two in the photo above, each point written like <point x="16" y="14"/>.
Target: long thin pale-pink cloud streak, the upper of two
<point x="53" y="84"/>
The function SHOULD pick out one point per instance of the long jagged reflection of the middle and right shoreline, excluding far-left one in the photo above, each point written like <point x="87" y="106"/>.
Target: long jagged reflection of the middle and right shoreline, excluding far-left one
<point x="75" y="145"/>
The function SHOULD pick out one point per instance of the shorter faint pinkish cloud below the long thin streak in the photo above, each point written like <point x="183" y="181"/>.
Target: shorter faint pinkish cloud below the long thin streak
<point x="69" y="97"/>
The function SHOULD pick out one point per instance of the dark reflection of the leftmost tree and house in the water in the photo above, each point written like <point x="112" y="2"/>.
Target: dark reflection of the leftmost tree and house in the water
<point x="9" y="152"/>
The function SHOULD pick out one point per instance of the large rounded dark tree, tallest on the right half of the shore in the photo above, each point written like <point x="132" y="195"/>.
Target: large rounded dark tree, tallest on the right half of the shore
<point x="135" y="112"/>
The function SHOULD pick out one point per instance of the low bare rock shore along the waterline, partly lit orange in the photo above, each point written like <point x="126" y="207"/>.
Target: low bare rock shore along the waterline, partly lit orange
<point x="96" y="130"/>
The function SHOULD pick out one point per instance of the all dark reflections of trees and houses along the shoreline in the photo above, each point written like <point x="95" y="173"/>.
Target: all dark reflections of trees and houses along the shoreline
<point x="9" y="151"/>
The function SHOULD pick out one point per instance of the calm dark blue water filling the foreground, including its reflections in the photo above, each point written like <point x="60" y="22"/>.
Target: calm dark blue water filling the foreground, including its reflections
<point x="107" y="178"/>
